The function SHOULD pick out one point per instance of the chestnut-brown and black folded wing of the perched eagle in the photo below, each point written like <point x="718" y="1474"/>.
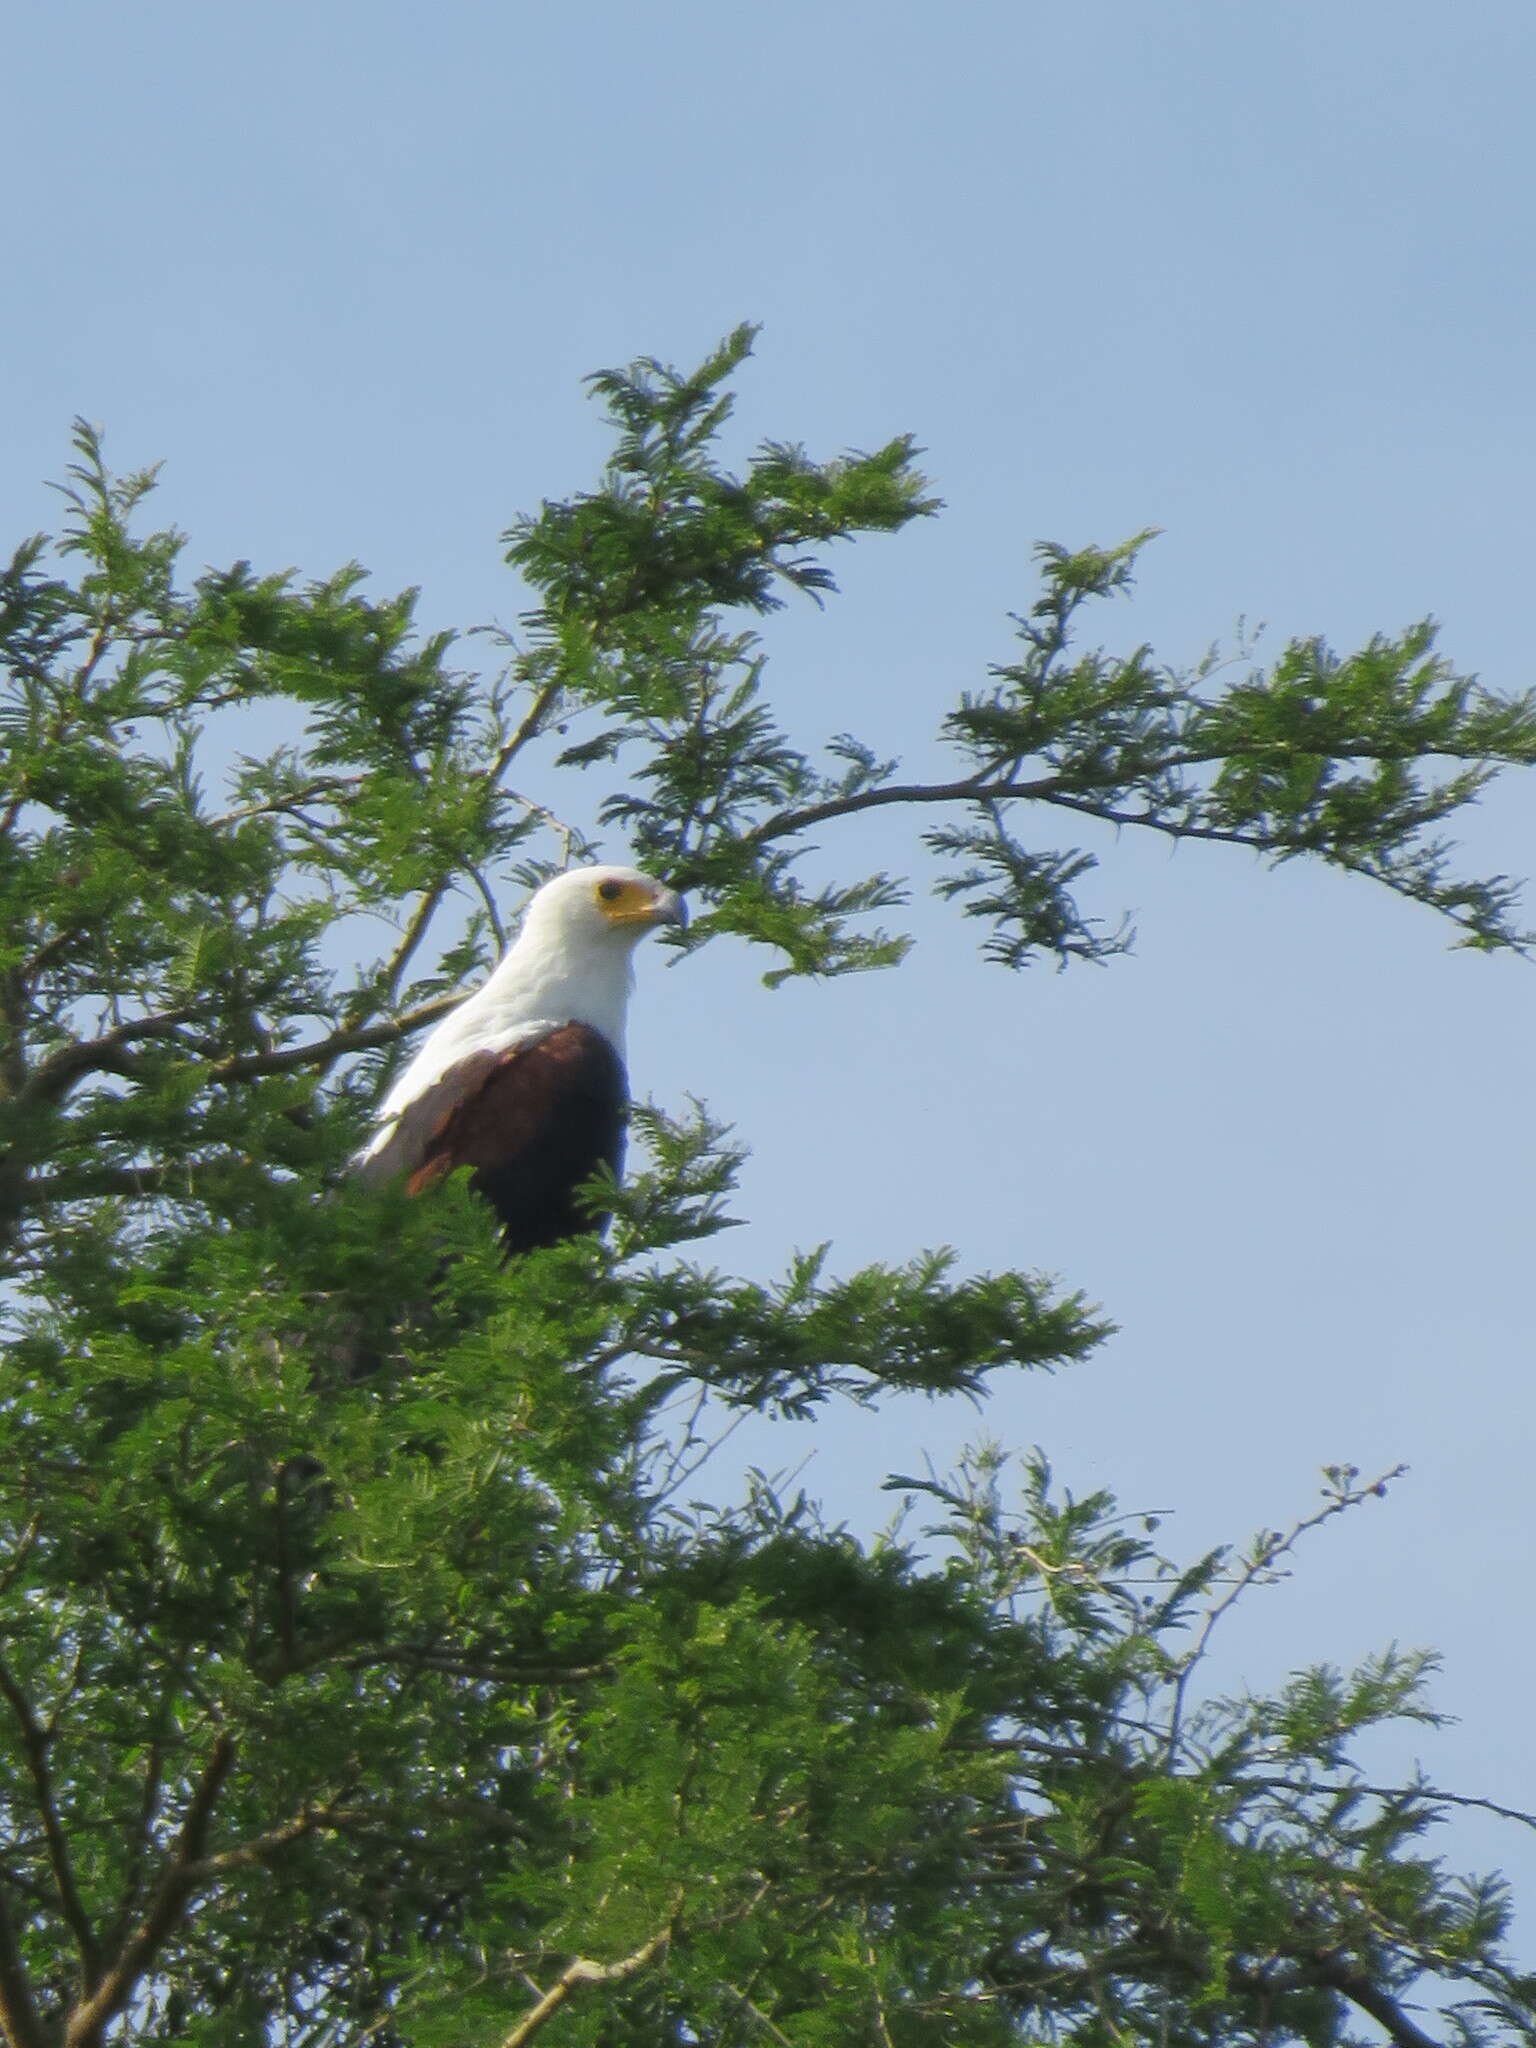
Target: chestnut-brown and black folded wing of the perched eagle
<point x="531" y="1125"/>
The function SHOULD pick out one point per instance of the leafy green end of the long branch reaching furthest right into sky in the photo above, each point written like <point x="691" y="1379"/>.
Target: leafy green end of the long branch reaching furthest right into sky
<point x="1342" y="759"/>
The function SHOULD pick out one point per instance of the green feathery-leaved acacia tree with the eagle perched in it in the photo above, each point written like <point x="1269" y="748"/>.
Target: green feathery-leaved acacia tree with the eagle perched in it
<point x="364" y="1676"/>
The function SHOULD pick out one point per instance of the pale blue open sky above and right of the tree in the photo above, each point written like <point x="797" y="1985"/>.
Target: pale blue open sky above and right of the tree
<point x="1261" y="278"/>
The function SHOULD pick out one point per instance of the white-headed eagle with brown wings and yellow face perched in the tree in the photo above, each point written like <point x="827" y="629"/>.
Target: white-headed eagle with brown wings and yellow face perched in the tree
<point x="525" y="1082"/>
